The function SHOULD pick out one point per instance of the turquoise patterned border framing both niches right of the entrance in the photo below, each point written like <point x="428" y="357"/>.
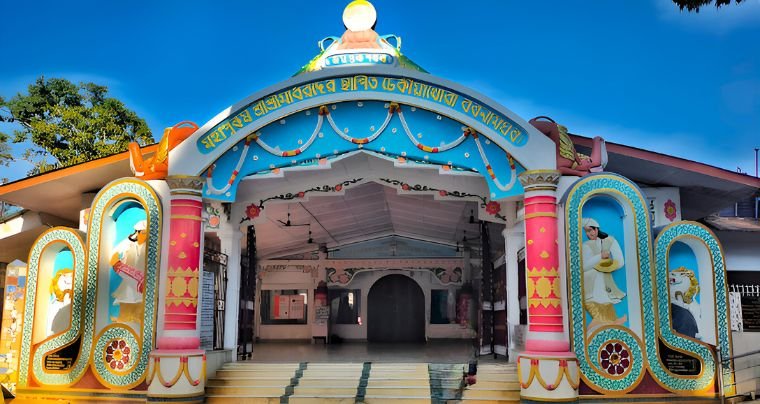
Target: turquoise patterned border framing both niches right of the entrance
<point x="653" y="284"/>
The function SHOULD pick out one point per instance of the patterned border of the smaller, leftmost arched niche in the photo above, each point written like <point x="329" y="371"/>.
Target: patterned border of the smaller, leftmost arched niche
<point x="58" y="235"/>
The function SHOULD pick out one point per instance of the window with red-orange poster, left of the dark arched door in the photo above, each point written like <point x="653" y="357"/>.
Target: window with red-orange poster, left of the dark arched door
<point x="284" y="306"/>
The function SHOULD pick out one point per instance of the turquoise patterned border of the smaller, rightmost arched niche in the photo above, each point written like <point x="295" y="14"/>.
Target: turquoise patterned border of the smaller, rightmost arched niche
<point x="665" y="239"/>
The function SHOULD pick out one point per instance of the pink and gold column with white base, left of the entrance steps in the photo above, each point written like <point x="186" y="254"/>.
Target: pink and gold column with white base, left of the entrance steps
<point x="177" y="368"/>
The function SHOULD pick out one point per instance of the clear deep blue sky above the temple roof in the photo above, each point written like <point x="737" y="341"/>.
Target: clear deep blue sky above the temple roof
<point x="641" y="73"/>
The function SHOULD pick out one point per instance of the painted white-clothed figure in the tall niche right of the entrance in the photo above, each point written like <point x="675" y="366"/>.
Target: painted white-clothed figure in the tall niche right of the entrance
<point x="601" y="256"/>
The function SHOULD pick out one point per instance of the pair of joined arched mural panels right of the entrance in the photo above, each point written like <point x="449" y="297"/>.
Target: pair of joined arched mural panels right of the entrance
<point x="613" y="357"/>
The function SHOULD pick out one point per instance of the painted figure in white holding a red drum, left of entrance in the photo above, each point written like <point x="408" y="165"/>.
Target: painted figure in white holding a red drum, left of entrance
<point x="128" y="261"/>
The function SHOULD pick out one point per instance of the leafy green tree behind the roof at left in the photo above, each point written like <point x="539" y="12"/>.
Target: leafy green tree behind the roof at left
<point x="69" y="124"/>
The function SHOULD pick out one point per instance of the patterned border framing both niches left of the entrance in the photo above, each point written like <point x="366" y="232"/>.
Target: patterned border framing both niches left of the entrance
<point x="84" y="300"/>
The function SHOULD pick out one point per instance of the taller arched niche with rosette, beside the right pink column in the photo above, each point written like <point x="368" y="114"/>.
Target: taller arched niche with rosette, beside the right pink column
<point x="619" y="209"/>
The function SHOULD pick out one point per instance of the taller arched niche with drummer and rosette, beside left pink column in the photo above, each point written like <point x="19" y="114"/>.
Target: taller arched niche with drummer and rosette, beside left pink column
<point x="115" y="214"/>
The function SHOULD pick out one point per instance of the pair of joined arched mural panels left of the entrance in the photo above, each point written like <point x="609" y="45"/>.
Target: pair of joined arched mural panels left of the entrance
<point x="99" y="308"/>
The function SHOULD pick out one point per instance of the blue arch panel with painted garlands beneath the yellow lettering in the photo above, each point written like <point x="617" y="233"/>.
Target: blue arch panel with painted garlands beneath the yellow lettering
<point x="396" y="131"/>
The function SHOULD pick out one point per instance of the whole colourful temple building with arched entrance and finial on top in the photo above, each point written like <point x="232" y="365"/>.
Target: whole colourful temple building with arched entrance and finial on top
<point x="366" y="201"/>
